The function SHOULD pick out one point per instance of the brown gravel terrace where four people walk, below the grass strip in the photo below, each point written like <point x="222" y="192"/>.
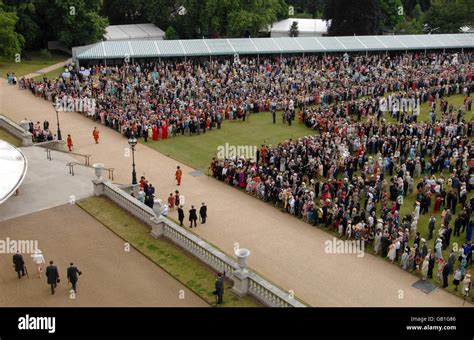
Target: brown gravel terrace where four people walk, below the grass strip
<point x="112" y="277"/>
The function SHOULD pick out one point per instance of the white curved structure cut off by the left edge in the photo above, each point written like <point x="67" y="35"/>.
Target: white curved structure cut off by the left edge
<point x="13" y="166"/>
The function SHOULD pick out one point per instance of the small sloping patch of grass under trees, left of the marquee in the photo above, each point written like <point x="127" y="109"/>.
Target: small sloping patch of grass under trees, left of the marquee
<point x="37" y="62"/>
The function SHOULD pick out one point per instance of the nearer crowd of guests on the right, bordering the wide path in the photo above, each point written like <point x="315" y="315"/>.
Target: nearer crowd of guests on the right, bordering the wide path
<point x="355" y="175"/>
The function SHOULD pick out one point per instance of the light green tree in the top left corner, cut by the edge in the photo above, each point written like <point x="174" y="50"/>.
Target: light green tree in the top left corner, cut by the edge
<point x="11" y="42"/>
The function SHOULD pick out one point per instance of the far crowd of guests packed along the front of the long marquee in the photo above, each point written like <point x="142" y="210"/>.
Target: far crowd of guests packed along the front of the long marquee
<point x="159" y="99"/>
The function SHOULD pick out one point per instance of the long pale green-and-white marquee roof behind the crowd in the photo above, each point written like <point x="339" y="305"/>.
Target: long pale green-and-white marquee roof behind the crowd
<point x="109" y="50"/>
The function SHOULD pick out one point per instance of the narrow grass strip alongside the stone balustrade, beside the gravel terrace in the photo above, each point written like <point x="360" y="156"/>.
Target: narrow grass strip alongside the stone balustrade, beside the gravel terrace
<point x="184" y="267"/>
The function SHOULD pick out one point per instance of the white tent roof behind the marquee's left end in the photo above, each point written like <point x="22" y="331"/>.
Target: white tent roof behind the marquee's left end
<point x="129" y="32"/>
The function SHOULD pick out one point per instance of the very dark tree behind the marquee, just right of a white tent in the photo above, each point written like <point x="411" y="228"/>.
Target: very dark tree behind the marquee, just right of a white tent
<point x="350" y="17"/>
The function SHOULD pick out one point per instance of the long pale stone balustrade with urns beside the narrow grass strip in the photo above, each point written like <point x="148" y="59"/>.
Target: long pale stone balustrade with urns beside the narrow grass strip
<point x="245" y="281"/>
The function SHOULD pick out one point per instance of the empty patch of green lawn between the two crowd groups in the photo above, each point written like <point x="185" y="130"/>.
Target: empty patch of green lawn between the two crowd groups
<point x="197" y="151"/>
